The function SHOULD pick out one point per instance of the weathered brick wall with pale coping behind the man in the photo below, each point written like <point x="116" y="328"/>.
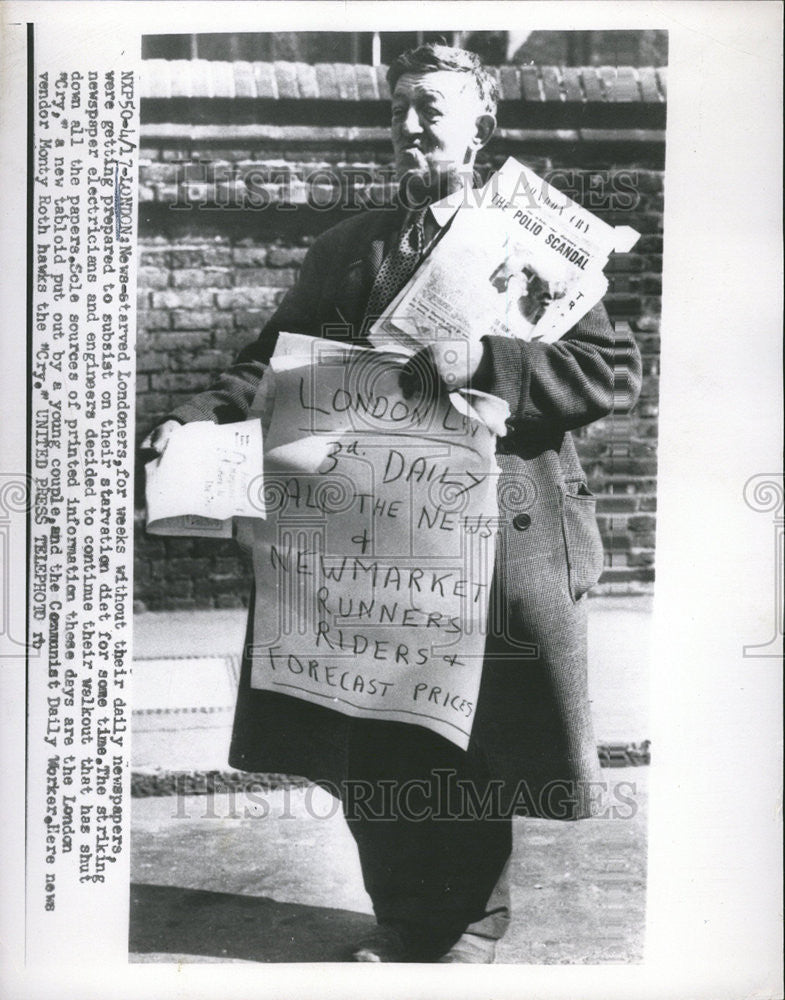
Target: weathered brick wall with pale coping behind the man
<point x="242" y="165"/>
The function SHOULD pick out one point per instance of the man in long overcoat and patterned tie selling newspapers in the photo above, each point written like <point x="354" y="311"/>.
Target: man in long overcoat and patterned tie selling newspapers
<point x="438" y="885"/>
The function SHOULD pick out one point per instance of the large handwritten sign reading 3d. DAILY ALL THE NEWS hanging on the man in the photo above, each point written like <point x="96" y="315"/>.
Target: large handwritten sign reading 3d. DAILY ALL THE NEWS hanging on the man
<point x="373" y="567"/>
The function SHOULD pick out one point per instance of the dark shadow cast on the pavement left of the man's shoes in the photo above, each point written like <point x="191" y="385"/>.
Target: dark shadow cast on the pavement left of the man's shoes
<point x="171" y="921"/>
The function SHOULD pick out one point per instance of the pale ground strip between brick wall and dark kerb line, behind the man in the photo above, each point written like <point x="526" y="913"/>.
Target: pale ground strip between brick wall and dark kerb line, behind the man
<point x="185" y="671"/>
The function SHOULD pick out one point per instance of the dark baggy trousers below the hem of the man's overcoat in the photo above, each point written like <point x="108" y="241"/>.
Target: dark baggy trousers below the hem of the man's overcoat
<point x="433" y="859"/>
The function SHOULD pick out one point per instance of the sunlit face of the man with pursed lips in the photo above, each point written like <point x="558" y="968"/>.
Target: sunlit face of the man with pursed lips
<point x="438" y="124"/>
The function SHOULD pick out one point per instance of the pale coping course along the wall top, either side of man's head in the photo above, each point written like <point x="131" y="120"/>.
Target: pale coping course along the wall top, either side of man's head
<point x="202" y="78"/>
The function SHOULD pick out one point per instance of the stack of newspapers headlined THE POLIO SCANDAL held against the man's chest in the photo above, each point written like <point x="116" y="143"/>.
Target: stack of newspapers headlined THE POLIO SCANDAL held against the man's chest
<point x="520" y="259"/>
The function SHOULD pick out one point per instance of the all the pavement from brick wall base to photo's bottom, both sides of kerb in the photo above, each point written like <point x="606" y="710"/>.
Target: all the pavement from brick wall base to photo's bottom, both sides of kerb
<point x="273" y="876"/>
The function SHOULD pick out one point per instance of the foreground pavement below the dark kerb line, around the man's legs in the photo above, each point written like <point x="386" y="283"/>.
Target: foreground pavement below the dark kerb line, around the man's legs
<point x="275" y="878"/>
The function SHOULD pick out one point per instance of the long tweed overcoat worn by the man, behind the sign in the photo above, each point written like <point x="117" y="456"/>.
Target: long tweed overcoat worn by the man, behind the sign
<point x="533" y="722"/>
